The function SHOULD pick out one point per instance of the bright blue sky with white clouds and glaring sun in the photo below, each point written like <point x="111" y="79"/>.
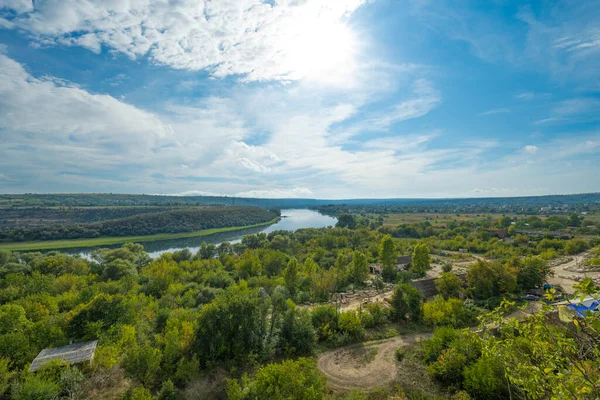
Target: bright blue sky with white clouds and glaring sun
<point x="300" y="98"/>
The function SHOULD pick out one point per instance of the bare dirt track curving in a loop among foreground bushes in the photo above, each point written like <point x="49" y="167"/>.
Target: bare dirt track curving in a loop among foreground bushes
<point x="368" y="365"/>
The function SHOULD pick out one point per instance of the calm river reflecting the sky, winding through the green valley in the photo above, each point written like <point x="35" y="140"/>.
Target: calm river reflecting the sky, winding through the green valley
<point x="291" y="220"/>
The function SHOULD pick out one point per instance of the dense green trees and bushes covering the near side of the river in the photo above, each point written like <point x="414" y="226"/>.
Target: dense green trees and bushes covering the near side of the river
<point x="246" y="321"/>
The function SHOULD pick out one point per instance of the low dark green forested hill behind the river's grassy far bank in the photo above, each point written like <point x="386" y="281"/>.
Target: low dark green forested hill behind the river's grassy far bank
<point x="171" y="221"/>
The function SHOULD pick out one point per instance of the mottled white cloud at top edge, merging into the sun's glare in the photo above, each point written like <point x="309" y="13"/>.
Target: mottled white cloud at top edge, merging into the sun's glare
<point x="284" y="40"/>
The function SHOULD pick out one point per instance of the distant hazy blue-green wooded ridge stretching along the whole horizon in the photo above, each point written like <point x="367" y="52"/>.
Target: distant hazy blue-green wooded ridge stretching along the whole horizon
<point x="522" y="205"/>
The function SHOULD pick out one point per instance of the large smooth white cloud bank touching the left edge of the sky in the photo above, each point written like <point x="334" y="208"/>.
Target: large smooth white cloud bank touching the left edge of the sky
<point x="62" y="114"/>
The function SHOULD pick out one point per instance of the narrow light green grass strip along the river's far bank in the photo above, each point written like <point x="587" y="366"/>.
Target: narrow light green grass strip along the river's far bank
<point x="104" y="241"/>
